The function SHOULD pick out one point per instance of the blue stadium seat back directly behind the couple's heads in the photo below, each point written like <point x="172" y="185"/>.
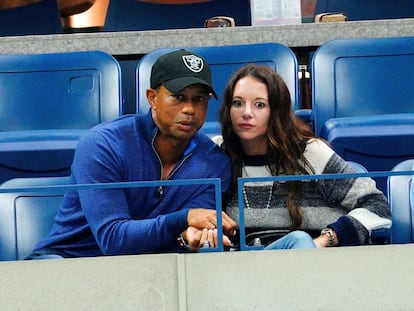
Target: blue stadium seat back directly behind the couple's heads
<point x="224" y="60"/>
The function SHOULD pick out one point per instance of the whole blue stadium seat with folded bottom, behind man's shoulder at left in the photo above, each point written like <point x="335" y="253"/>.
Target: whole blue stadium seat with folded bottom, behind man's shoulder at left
<point x="47" y="102"/>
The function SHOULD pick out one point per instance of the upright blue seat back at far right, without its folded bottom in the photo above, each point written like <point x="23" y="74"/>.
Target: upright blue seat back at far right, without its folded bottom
<point x="362" y="77"/>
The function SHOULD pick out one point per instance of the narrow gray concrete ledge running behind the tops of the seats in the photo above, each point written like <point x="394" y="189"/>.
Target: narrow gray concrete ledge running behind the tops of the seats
<point x="141" y="42"/>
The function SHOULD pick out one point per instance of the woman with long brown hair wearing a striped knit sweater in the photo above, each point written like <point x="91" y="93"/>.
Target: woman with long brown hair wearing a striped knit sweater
<point x="264" y="138"/>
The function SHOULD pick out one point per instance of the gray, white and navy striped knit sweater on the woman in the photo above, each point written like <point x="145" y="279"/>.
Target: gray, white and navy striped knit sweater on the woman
<point x="353" y="207"/>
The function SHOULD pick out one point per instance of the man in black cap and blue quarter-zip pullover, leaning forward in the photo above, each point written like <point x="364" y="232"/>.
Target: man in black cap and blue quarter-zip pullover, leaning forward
<point x="163" y="144"/>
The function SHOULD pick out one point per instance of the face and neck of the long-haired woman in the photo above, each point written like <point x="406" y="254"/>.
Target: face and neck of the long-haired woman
<point x="250" y="113"/>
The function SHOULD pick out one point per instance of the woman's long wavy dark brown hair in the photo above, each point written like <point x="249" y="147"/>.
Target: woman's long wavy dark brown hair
<point x="287" y="135"/>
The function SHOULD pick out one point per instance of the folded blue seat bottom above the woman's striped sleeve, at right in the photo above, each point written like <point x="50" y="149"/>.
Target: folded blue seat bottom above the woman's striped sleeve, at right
<point x="379" y="141"/>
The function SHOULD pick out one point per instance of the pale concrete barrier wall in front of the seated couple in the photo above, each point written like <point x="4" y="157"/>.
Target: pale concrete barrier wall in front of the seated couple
<point x="352" y="278"/>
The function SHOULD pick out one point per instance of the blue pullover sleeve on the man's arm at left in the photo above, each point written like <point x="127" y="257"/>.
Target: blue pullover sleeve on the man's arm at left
<point x="108" y="211"/>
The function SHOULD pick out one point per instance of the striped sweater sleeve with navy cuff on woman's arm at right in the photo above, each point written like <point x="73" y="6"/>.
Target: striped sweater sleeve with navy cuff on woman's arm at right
<point x="367" y="206"/>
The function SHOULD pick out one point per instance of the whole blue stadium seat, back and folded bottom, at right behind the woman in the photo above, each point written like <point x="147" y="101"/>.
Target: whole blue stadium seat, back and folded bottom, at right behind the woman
<point x="362" y="102"/>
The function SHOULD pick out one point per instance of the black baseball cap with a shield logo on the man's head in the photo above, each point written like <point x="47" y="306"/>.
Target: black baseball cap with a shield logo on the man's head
<point x="180" y="69"/>
